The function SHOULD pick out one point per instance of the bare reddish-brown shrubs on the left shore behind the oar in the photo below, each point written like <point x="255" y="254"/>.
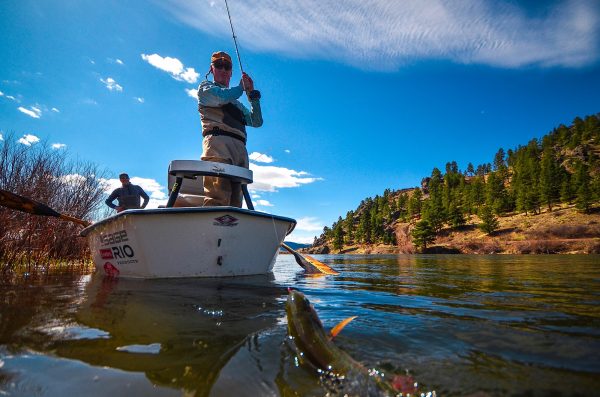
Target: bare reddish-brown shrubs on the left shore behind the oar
<point x="46" y="175"/>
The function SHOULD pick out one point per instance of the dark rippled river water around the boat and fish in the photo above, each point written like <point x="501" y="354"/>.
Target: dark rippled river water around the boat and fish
<point x="459" y="325"/>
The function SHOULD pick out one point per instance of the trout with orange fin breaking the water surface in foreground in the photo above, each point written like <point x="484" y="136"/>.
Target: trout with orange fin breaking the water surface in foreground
<point x="338" y="369"/>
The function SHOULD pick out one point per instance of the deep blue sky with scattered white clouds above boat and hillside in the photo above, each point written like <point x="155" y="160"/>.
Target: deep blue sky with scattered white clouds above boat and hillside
<point x="358" y="96"/>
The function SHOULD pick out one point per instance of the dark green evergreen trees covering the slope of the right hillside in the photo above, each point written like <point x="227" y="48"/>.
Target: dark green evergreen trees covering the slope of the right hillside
<point x="563" y="167"/>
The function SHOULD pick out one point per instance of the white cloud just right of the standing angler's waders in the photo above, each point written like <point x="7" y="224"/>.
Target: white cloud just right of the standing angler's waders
<point x="269" y="178"/>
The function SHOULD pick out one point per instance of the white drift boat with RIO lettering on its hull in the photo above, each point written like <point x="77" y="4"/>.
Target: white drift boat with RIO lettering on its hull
<point x="189" y="241"/>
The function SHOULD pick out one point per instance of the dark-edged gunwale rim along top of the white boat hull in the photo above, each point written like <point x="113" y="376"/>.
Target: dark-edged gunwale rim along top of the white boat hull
<point x="186" y="210"/>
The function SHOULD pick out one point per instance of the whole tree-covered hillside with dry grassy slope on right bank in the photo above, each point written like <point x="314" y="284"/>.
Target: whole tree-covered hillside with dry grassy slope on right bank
<point x="540" y="198"/>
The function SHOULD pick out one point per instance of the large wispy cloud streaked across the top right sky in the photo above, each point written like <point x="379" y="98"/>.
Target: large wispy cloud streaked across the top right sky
<point x="383" y="34"/>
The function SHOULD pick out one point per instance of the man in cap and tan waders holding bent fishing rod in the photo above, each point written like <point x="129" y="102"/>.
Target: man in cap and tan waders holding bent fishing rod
<point x="224" y="120"/>
